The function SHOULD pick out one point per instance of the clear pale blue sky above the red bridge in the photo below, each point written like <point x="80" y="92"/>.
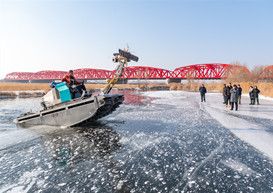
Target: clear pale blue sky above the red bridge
<point x="62" y="35"/>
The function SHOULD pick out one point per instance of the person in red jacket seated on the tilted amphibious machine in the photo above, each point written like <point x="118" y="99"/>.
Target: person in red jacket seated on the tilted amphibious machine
<point x="73" y="84"/>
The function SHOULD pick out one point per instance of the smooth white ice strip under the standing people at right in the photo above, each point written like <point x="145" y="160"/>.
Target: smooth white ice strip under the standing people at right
<point x="253" y="132"/>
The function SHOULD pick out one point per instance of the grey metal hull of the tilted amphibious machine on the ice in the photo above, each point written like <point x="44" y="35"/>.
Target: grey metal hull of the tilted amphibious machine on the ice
<point x="73" y="113"/>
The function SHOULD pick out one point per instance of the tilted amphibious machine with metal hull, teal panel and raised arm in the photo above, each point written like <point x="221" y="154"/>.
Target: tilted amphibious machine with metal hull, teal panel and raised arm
<point x="61" y="110"/>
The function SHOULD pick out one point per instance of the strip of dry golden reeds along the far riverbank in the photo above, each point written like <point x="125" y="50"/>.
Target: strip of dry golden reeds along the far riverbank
<point x="38" y="89"/>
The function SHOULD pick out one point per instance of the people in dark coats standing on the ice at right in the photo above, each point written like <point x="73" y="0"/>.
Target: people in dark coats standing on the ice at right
<point x="232" y="95"/>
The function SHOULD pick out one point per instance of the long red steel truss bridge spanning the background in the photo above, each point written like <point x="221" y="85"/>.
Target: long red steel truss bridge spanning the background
<point x="196" y="71"/>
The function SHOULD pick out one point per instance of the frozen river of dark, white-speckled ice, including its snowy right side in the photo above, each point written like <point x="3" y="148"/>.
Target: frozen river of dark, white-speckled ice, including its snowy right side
<point x="162" y="141"/>
